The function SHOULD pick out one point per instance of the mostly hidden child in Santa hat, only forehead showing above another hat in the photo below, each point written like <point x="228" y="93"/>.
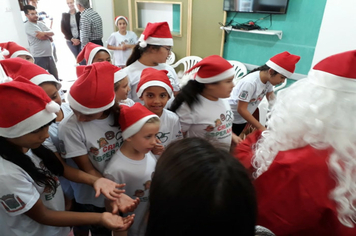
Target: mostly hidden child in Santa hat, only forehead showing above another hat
<point x="94" y="53"/>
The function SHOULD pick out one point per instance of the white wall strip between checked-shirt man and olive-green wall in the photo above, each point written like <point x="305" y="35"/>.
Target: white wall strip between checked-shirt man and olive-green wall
<point x="105" y="8"/>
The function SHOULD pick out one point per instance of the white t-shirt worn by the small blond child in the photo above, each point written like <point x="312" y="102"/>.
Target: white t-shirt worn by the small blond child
<point x="137" y="175"/>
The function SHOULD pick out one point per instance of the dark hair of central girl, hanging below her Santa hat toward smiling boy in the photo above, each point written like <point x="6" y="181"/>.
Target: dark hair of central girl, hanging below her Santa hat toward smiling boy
<point x="188" y="94"/>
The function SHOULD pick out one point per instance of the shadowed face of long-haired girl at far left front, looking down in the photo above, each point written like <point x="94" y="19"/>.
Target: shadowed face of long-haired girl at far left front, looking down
<point x="31" y="140"/>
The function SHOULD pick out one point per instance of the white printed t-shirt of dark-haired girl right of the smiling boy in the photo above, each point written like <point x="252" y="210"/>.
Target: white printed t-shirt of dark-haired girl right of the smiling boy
<point x="208" y="119"/>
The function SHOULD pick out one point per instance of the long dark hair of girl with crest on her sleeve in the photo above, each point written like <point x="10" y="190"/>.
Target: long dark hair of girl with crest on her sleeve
<point x="42" y="177"/>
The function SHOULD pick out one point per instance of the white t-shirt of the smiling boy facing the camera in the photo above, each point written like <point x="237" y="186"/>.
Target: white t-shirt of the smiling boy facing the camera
<point x="170" y="128"/>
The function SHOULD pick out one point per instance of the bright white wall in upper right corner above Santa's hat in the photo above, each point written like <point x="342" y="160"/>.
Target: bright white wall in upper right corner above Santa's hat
<point x="337" y="32"/>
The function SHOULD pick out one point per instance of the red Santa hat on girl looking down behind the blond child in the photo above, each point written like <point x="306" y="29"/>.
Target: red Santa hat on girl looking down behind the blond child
<point x="93" y="91"/>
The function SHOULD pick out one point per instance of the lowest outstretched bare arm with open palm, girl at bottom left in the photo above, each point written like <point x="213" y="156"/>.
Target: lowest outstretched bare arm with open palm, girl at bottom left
<point x="41" y="214"/>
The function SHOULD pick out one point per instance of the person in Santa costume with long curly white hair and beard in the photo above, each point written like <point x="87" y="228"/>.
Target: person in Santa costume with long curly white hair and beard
<point x="305" y="162"/>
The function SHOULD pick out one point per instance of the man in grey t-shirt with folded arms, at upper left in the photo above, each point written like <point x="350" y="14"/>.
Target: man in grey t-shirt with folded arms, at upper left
<point x="39" y="39"/>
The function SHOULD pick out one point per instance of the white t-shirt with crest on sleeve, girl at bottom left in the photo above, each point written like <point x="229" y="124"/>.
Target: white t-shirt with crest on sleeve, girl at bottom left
<point x="18" y="194"/>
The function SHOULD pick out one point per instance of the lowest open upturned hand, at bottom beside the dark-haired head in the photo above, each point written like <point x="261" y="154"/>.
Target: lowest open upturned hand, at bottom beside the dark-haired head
<point x="115" y="222"/>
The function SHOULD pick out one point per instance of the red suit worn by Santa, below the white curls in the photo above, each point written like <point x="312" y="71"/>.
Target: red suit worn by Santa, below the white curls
<point x="293" y="195"/>
